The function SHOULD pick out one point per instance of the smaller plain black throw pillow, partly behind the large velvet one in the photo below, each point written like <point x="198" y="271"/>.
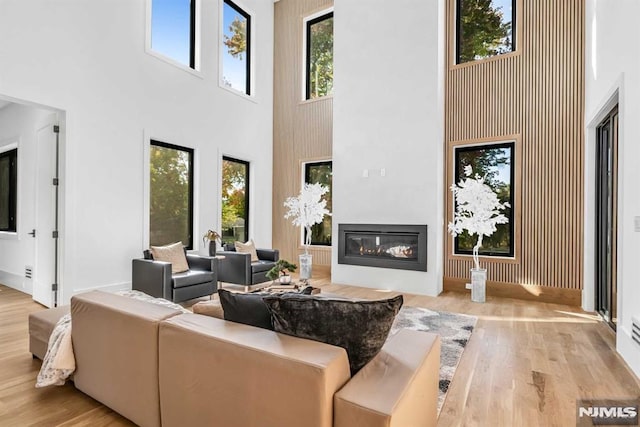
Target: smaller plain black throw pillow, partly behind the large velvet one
<point x="249" y="309"/>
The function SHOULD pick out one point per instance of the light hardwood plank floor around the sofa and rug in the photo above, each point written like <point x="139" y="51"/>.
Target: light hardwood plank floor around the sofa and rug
<point x="525" y="365"/>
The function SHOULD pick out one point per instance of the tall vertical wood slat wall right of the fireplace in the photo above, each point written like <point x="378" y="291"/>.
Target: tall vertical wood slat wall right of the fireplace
<point x="538" y="94"/>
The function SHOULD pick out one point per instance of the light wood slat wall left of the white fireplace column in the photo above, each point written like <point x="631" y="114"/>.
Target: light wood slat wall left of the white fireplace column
<point x="302" y="131"/>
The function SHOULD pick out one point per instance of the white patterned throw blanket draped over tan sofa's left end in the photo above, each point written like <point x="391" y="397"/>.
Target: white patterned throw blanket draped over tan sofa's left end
<point x="59" y="362"/>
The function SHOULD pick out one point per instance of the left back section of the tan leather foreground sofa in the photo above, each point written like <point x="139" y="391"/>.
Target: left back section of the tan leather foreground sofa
<point x="115" y="342"/>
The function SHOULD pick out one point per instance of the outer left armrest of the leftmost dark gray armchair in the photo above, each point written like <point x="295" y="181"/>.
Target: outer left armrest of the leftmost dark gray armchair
<point x="152" y="278"/>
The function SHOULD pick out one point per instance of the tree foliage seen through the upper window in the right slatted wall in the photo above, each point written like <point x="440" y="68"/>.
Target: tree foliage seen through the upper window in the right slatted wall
<point x="483" y="32"/>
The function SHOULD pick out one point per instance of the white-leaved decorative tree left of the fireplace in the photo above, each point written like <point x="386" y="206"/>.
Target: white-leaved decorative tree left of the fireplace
<point x="307" y="209"/>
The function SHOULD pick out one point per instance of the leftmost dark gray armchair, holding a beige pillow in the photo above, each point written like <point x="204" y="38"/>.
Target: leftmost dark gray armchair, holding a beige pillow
<point x="155" y="278"/>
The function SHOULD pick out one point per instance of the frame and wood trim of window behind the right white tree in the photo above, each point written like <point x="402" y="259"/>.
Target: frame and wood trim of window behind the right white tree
<point x="516" y="182"/>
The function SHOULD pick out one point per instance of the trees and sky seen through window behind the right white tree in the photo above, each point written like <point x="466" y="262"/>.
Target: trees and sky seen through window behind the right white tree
<point x="487" y="162"/>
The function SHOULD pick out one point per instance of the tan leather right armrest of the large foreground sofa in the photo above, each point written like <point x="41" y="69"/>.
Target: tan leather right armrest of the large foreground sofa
<point x="399" y="387"/>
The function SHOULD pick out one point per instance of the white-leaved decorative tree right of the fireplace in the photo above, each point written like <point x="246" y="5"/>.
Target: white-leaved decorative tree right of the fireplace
<point x="478" y="210"/>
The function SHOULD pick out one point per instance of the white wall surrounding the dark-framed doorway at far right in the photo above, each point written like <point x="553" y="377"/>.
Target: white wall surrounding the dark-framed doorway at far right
<point x="613" y="64"/>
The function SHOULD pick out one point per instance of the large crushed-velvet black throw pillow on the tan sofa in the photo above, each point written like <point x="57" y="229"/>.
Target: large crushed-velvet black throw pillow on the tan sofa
<point x="361" y="327"/>
